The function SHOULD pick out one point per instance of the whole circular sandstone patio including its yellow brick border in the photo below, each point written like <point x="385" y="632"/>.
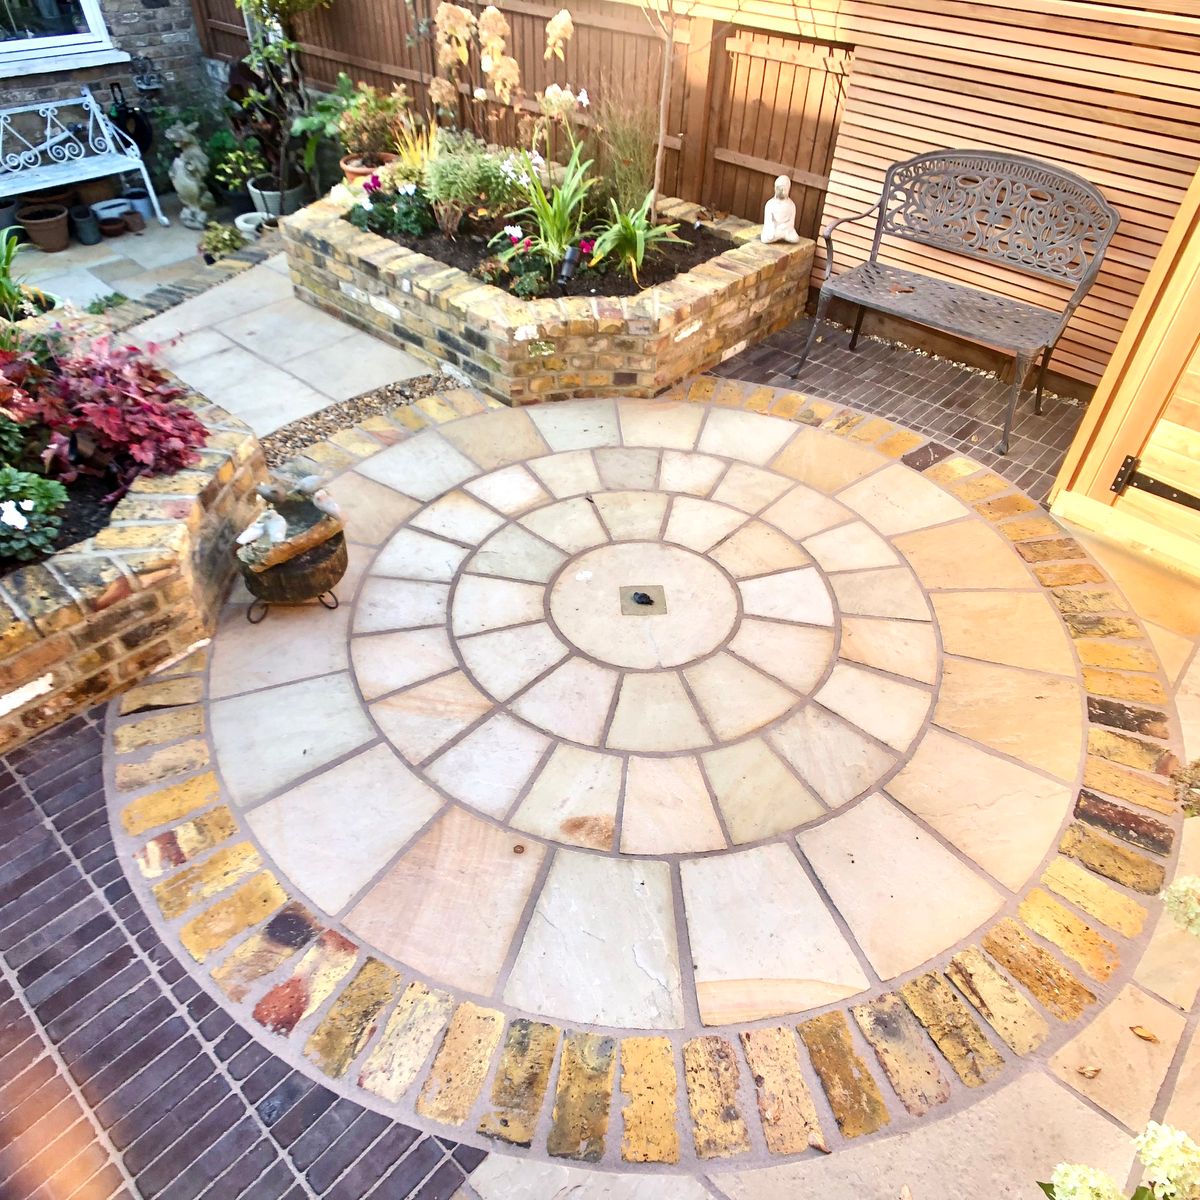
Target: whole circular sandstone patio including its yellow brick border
<point x="677" y="788"/>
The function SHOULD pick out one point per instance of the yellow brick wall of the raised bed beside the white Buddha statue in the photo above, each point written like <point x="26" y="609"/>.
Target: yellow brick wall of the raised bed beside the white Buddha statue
<point x="524" y="352"/>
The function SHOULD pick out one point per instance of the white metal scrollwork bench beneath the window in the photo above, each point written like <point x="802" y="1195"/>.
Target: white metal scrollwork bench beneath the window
<point x="65" y="142"/>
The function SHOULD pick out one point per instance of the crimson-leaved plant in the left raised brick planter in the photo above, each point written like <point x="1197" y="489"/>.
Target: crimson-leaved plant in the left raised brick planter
<point x="105" y="409"/>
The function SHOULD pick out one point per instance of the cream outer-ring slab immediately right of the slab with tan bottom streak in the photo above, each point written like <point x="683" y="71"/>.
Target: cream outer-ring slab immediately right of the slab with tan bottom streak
<point x="874" y="861"/>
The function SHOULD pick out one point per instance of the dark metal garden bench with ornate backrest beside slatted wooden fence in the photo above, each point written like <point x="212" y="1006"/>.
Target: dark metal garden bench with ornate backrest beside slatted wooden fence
<point x="1017" y="213"/>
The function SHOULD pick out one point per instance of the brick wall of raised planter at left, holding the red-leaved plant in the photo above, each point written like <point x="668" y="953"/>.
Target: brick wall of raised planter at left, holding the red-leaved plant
<point x="105" y="613"/>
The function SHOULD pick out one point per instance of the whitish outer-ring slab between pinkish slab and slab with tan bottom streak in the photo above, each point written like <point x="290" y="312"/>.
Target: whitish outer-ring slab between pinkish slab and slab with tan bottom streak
<point x="602" y="946"/>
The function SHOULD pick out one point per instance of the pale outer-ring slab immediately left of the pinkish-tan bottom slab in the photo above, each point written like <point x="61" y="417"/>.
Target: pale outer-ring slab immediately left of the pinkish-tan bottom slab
<point x="334" y="832"/>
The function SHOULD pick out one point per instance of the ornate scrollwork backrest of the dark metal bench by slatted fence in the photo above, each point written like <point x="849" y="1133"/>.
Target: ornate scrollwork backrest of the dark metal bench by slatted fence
<point x="1006" y="209"/>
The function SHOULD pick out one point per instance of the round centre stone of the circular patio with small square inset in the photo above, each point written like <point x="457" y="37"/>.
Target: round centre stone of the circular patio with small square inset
<point x="644" y="605"/>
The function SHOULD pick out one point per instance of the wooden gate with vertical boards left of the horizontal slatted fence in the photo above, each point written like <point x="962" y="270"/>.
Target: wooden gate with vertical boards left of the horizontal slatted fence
<point x="775" y="109"/>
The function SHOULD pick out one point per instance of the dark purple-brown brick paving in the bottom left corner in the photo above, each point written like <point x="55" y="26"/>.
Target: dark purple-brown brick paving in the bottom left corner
<point x="119" y="1077"/>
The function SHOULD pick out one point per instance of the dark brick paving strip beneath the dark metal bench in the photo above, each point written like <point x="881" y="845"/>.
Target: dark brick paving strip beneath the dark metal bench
<point x="959" y="407"/>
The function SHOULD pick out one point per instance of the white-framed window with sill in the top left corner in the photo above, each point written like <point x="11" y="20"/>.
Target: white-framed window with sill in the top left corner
<point x="49" y="35"/>
